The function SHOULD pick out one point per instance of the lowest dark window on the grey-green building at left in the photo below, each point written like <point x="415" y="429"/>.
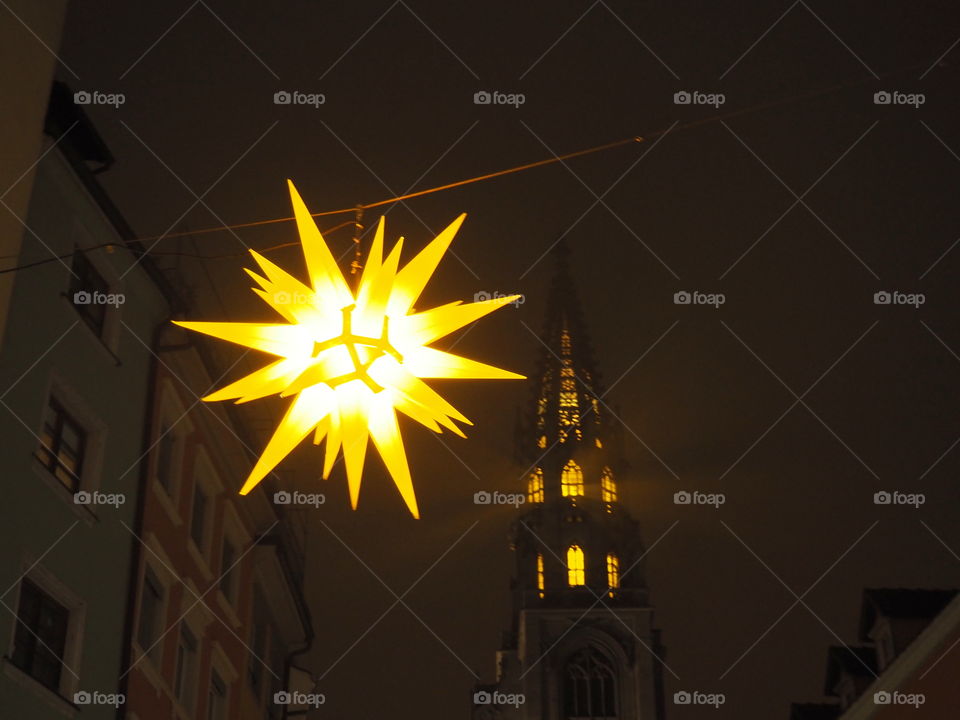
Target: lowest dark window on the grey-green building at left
<point x="41" y="635"/>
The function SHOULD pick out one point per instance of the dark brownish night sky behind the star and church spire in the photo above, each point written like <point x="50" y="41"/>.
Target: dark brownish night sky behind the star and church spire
<point x="399" y="113"/>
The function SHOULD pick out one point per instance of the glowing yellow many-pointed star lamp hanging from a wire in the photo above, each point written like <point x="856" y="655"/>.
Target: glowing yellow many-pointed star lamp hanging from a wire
<point x="352" y="359"/>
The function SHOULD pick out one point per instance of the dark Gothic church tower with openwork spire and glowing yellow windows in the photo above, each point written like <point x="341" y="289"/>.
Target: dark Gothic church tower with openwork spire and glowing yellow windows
<point x="582" y="643"/>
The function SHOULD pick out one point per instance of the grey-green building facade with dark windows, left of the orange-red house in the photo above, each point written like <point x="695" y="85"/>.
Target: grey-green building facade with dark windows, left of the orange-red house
<point x="74" y="389"/>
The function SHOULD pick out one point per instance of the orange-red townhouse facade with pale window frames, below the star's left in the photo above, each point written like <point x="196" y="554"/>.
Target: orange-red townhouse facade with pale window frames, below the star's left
<point x="219" y="612"/>
